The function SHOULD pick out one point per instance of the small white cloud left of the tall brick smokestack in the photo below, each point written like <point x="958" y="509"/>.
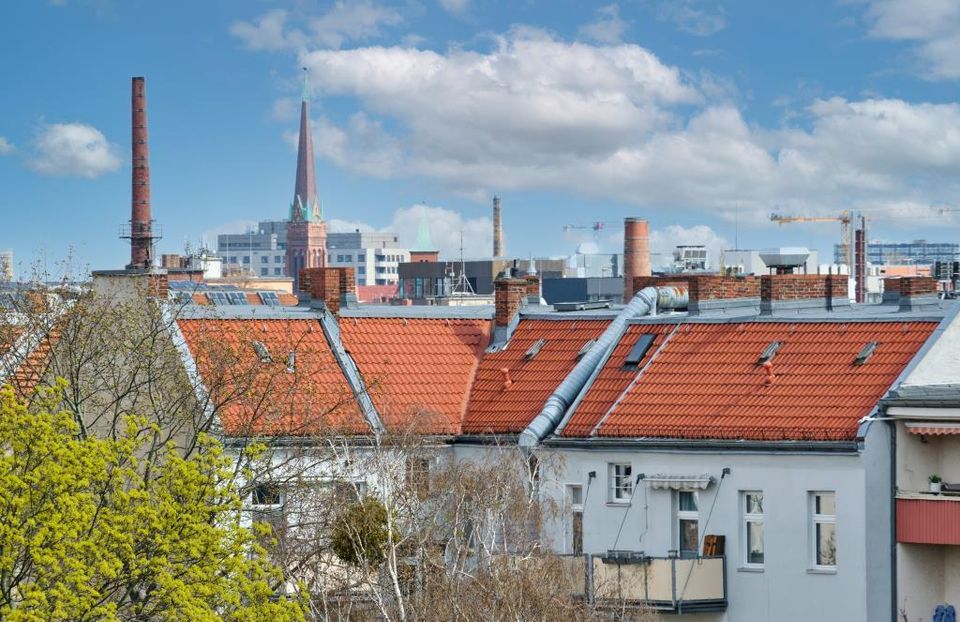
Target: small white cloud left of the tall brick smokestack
<point x="73" y="149"/>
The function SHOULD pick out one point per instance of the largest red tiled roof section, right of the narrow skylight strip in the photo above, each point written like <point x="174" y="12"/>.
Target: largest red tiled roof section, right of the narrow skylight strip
<point x="705" y="382"/>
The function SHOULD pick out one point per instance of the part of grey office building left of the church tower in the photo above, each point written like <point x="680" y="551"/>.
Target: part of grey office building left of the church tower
<point x="261" y="252"/>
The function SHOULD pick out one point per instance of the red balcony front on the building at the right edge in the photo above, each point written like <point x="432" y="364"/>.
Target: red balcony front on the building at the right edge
<point x="928" y="519"/>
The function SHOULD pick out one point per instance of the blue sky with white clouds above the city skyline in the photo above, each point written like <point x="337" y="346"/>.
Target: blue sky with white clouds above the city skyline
<point x="702" y="116"/>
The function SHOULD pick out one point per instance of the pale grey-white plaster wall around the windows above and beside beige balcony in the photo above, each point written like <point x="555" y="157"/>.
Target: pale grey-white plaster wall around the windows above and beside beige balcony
<point x="785" y="590"/>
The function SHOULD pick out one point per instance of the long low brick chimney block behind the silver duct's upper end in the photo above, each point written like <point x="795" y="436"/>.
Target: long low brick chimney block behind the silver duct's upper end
<point x="711" y="294"/>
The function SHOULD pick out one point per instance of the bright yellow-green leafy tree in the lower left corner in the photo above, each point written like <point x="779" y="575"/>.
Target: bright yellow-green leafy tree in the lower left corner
<point x="86" y="535"/>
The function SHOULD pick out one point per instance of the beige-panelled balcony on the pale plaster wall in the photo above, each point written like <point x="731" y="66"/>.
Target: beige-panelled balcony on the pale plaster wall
<point x="667" y="584"/>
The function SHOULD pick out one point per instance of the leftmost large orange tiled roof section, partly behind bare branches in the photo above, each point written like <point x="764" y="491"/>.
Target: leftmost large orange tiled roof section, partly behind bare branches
<point x="257" y="398"/>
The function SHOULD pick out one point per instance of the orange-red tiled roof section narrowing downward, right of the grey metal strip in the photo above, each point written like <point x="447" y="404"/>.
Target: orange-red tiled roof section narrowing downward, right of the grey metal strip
<point x="418" y="370"/>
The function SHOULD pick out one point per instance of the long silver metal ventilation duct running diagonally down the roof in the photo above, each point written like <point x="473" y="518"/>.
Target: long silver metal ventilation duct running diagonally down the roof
<point x="645" y="302"/>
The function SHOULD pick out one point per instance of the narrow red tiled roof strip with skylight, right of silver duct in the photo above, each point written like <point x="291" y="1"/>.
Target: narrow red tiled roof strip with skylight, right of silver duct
<point x="613" y="379"/>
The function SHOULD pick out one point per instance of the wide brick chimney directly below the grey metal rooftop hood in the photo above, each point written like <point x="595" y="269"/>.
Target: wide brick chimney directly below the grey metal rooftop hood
<point x="803" y="292"/>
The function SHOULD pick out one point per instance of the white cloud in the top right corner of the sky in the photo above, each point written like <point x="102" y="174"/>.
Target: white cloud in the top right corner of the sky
<point x="933" y="25"/>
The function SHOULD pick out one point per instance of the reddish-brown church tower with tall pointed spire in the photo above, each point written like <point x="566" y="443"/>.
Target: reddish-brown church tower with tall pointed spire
<point x="306" y="231"/>
